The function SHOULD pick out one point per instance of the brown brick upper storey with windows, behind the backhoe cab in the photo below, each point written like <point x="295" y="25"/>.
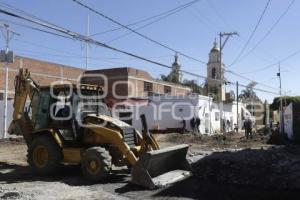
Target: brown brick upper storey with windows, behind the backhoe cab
<point x="129" y="82"/>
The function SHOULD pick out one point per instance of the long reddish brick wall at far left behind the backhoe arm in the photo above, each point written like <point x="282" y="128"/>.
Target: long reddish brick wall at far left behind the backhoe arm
<point x="42" y="72"/>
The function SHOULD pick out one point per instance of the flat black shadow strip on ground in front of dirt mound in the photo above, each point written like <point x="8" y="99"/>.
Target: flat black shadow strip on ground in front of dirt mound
<point x="196" y="188"/>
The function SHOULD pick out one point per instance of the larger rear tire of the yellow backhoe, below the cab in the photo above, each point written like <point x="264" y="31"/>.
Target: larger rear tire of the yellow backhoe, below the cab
<point x="44" y="155"/>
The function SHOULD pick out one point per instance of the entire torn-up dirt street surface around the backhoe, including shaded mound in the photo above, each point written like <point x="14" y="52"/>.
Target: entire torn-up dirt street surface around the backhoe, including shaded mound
<point x="224" y="167"/>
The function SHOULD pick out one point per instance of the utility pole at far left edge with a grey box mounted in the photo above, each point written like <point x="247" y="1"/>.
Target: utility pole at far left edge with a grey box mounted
<point x="7" y="57"/>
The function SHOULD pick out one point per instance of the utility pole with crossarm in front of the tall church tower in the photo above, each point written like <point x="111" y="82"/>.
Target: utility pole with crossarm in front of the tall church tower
<point x="222" y="44"/>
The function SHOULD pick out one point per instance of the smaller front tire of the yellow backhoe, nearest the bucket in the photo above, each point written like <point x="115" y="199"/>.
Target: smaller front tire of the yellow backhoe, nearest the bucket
<point x="96" y="163"/>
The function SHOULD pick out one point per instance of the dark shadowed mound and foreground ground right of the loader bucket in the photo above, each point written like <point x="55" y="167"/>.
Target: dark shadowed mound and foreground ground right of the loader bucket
<point x="248" y="174"/>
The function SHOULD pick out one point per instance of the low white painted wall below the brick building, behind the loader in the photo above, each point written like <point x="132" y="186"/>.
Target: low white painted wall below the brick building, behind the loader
<point x="166" y="112"/>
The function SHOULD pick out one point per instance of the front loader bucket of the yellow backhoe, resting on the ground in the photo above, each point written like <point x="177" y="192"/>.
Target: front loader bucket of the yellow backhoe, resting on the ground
<point x="161" y="167"/>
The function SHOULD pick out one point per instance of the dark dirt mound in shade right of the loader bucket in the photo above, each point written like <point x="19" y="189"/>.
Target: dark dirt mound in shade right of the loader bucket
<point x="272" y="168"/>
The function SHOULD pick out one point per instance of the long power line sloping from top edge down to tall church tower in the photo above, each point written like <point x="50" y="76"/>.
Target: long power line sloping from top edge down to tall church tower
<point x="141" y="35"/>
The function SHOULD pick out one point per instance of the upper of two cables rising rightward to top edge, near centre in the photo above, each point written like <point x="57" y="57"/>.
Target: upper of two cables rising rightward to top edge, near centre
<point x="164" y="14"/>
